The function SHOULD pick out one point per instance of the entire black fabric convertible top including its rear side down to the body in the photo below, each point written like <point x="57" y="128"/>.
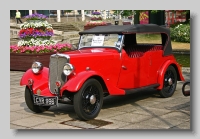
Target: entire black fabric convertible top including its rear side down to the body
<point x="134" y="29"/>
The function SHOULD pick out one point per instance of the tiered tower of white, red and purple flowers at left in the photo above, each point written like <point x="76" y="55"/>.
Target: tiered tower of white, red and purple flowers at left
<point x="36" y="31"/>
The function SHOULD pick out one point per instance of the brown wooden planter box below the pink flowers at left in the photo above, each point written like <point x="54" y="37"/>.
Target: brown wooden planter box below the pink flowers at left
<point x="23" y="61"/>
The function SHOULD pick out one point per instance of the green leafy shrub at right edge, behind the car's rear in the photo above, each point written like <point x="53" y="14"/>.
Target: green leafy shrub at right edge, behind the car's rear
<point x="180" y="33"/>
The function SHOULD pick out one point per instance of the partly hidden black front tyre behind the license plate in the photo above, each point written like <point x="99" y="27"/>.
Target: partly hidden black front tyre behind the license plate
<point x="30" y="104"/>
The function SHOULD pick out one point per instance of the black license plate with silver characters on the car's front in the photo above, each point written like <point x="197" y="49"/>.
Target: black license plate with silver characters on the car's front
<point x="45" y="101"/>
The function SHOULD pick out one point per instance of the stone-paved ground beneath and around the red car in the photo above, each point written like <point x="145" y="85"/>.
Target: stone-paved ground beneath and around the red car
<point x="143" y="110"/>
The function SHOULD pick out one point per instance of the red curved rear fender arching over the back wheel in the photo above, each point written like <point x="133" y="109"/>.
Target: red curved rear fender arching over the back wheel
<point x="163" y="69"/>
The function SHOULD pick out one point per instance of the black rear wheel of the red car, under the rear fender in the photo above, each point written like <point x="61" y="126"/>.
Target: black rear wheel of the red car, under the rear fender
<point x="169" y="83"/>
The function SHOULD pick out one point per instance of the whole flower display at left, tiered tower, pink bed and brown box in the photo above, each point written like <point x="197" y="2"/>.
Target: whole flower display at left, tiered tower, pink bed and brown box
<point x="35" y="44"/>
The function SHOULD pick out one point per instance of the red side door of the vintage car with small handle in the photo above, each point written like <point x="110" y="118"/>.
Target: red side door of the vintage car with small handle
<point x="133" y="72"/>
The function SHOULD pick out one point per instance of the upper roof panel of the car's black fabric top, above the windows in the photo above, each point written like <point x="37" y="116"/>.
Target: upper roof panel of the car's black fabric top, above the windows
<point x="124" y="29"/>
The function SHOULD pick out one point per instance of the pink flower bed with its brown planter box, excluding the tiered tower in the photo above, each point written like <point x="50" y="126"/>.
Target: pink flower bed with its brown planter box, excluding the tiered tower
<point x="21" y="58"/>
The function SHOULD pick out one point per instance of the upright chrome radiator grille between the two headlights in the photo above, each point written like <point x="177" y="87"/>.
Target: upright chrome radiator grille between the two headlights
<point x="57" y="62"/>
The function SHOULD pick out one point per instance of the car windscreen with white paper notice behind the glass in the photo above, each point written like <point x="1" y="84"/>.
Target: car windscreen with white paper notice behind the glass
<point x="101" y="40"/>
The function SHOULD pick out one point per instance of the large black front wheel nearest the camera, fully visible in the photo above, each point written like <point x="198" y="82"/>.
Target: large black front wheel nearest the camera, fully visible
<point x="89" y="100"/>
